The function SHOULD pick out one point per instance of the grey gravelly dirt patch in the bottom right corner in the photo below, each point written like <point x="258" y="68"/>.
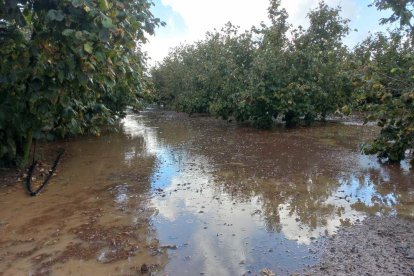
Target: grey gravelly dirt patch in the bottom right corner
<point x="377" y="246"/>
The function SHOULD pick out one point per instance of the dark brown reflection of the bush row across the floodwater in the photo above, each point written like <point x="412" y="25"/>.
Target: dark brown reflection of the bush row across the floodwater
<point x="299" y="173"/>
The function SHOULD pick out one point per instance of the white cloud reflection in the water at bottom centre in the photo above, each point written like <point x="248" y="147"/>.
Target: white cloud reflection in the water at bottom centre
<point x="214" y="252"/>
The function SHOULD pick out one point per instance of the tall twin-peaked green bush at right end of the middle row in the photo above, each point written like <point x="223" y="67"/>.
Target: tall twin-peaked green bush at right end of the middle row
<point x="304" y="77"/>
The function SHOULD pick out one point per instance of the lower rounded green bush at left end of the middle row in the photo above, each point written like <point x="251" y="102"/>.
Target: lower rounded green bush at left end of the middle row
<point x="206" y="77"/>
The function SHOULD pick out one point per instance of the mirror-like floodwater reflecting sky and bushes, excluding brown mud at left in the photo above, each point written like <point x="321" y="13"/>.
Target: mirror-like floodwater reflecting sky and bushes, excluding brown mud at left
<point x="234" y="199"/>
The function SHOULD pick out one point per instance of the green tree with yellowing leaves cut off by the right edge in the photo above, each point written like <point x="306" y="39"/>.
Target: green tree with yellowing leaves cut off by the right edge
<point x="386" y="70"/>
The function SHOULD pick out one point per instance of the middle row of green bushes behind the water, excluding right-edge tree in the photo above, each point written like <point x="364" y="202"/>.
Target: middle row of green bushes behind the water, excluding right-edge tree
<point x="261" y="75"/>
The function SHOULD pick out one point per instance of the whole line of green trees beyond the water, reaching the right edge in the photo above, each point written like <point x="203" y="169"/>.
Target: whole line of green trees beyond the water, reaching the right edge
<point x="276" y="72"/>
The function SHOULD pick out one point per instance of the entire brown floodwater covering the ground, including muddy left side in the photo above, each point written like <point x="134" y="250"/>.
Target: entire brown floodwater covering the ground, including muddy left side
<point x="191" y="196"/>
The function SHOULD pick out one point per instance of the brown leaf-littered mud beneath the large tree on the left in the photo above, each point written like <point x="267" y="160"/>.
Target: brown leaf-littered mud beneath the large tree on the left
<point x="77" y="226"/>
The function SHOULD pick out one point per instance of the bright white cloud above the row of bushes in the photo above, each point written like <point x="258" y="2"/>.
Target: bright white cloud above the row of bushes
<point x="201" y="16"/>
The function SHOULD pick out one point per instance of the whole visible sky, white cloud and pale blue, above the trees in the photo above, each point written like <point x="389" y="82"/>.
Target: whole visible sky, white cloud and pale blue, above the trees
<point x="189" y="20"/>
